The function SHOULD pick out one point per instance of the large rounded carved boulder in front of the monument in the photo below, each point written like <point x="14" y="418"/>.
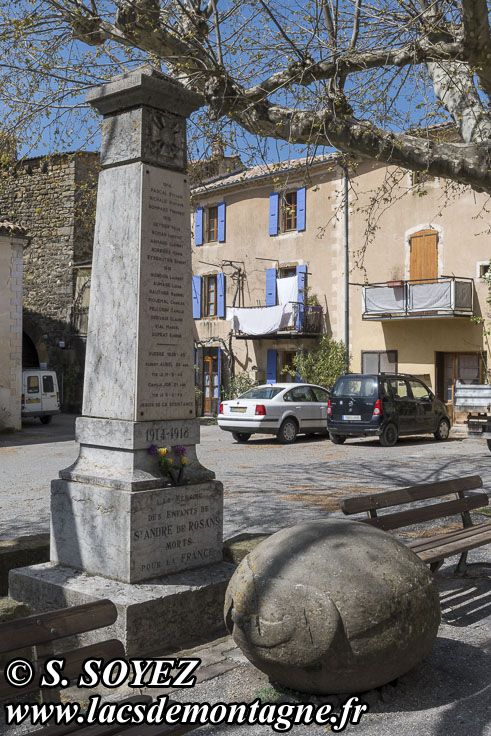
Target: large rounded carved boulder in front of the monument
<point x="332" y="606"/>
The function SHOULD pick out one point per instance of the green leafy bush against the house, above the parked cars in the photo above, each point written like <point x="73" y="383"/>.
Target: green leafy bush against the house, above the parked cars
<point x="322" y="365"/>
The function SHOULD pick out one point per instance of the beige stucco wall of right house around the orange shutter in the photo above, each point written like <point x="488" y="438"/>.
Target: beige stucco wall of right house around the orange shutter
<point x="461" y="220"/>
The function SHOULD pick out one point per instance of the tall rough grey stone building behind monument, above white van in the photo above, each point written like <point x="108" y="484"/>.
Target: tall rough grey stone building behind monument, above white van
<point x="54" y="199"/>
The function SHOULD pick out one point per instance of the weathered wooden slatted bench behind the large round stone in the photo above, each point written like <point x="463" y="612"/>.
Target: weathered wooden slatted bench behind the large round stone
<point x="432" y="550"/>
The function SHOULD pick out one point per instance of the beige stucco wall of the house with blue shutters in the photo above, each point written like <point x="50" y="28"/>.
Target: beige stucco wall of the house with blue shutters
<point x="250" y="246"/>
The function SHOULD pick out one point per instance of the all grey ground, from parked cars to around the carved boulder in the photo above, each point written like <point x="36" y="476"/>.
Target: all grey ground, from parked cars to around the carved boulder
<point x="268" y="486"/>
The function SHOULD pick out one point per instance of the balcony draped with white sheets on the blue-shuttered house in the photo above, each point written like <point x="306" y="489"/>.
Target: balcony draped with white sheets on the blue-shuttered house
<point x="291" y="320"/>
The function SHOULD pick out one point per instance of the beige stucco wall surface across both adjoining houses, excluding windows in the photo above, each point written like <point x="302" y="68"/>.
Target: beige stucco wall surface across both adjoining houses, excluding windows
<point x="381" y="199"/>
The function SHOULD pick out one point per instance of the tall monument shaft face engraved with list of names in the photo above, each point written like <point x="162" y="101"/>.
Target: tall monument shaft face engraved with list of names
<point x="165" y="350"/>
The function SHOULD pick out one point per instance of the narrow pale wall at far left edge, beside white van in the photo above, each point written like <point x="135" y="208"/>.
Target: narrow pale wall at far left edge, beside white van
<point x="10" y="331"/>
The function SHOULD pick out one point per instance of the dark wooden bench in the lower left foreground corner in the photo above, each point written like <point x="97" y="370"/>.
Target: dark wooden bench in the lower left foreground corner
<point x="39" y="632"/>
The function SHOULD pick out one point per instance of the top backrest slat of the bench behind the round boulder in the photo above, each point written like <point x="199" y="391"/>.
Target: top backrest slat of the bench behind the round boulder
<point x="385" y="499"/>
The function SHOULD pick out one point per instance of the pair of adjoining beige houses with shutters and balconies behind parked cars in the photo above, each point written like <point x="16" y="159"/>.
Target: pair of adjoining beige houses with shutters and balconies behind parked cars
<point x="414" y="285"/>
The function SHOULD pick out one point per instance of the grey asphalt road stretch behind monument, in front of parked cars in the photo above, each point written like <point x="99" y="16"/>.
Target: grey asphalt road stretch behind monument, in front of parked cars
<point x="266" y="485"/>
